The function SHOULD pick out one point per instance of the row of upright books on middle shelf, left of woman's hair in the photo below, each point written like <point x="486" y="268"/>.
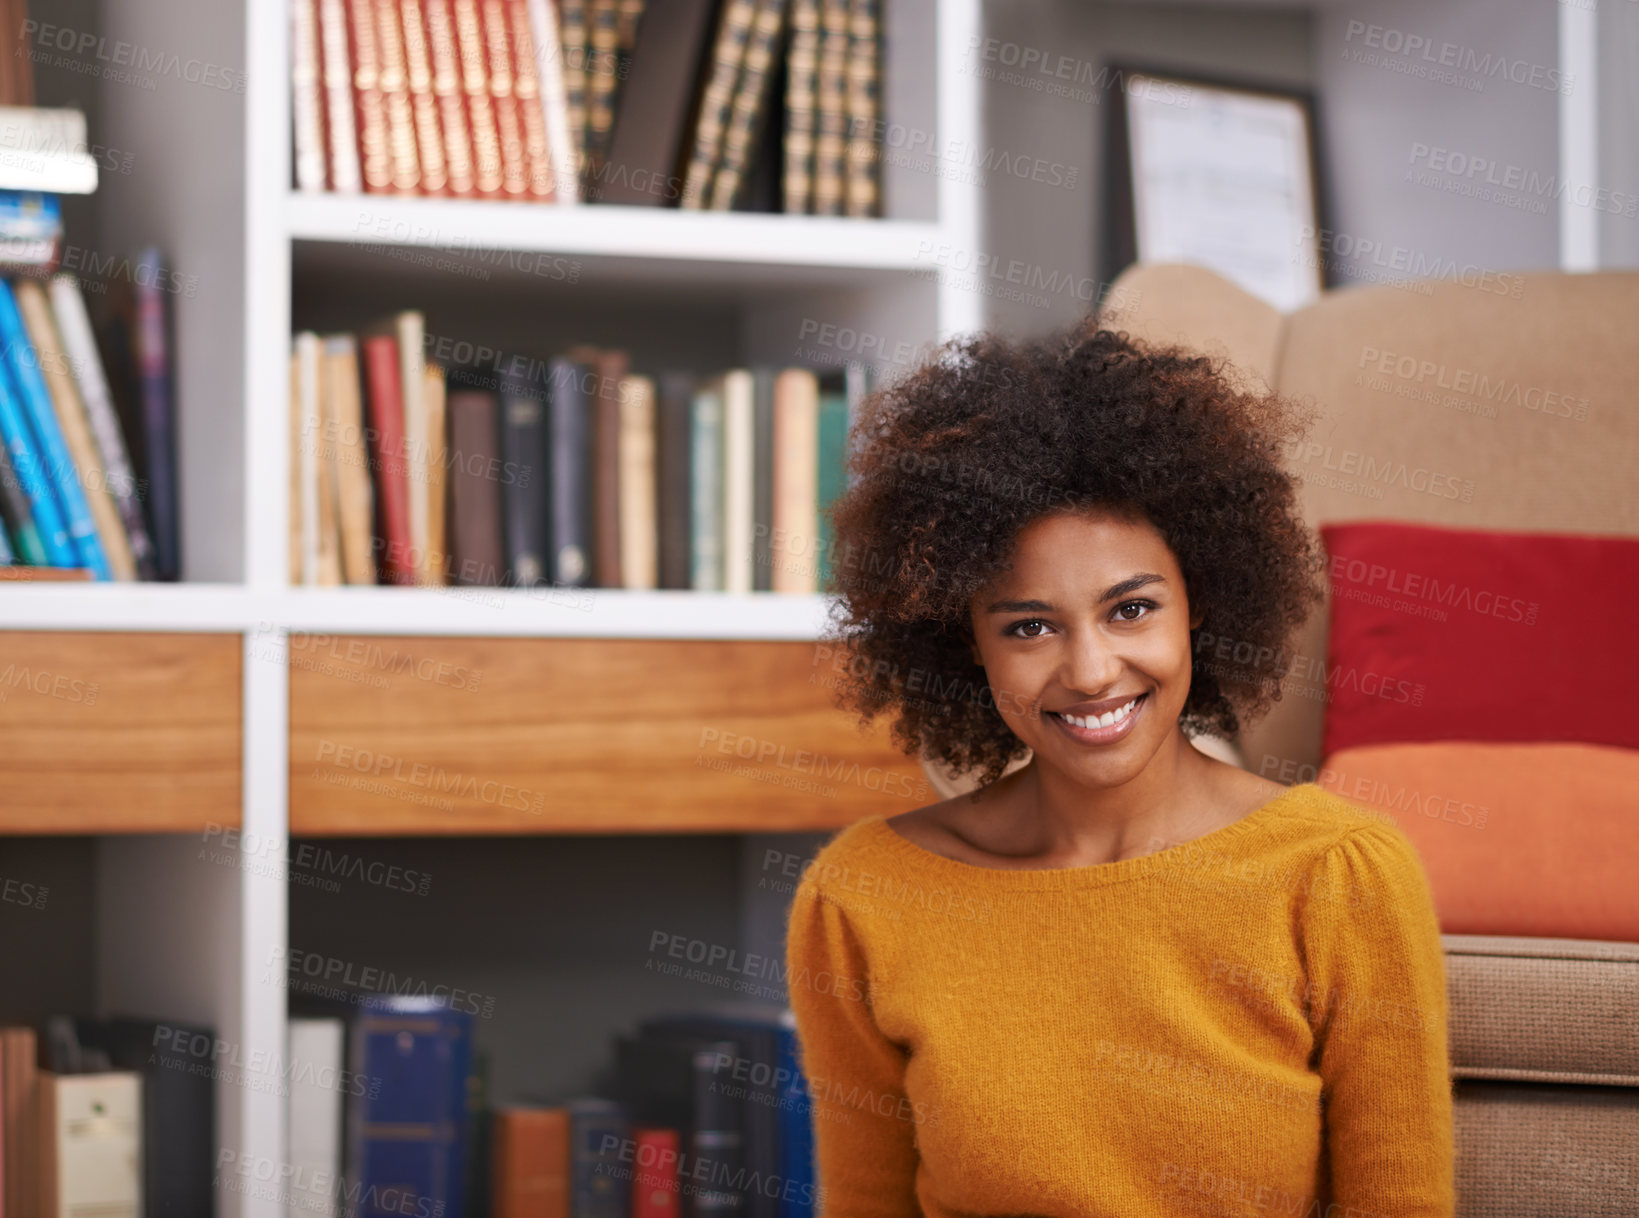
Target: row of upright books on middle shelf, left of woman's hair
<point x="570" y="471"/>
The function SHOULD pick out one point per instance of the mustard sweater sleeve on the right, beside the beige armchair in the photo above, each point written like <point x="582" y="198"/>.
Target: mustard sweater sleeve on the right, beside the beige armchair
<point x="1378" y="988"/>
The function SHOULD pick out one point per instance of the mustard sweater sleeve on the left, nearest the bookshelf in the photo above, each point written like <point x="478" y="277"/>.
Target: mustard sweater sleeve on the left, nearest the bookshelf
<point x="865" y="1147"/>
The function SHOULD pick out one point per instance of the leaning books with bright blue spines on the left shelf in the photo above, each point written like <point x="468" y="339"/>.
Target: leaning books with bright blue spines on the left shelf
<point x="88" y="465"/>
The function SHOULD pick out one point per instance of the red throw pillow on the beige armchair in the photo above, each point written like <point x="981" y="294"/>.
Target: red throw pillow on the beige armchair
<point x="1471" y="635"/>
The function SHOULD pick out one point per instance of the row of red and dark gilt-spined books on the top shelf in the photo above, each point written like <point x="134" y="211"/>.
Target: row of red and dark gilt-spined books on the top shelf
<point x="701" y="104"/>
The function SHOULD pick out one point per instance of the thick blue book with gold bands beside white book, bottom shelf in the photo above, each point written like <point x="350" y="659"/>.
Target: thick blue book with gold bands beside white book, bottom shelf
<point x="407" y="1134"/>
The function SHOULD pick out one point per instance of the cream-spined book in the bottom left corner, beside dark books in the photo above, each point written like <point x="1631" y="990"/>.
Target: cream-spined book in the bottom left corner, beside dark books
<point x="91" y="1132"/>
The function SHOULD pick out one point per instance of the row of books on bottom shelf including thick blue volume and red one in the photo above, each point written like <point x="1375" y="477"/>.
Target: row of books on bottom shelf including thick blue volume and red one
<point x="704" y="1114"/>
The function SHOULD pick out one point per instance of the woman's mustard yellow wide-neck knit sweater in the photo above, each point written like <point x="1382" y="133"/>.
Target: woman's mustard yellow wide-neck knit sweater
<point x="1250" y="1024"/>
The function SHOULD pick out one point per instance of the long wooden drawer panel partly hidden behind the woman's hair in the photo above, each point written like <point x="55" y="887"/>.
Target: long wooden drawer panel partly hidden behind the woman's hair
<point x="396" y="735"/>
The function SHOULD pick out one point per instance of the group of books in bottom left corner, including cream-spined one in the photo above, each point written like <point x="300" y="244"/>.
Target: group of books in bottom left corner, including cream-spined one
<point x="111" y="1117"/>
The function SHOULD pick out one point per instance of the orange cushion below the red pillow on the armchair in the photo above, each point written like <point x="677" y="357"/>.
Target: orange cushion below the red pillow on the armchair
<point x="1538" y="840"/>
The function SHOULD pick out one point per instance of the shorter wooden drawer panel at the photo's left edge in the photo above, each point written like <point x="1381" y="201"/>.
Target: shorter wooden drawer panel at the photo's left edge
<point x="119" y="732"/>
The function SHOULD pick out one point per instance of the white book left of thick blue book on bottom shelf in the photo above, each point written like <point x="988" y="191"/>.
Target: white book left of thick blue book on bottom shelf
<point x="314" y="1114"/>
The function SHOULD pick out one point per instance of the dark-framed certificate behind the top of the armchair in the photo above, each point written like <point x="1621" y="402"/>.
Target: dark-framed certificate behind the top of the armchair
<point x="1217" y="175"/>
